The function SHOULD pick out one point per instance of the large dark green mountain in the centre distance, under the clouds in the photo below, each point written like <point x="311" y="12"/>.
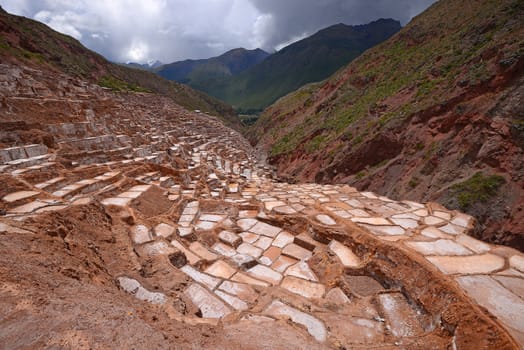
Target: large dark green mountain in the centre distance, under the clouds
<point x="308" y="60"/>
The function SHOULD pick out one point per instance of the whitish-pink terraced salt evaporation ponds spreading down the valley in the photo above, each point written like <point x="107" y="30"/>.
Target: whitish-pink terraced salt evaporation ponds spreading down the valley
<point x="223" y="280"/>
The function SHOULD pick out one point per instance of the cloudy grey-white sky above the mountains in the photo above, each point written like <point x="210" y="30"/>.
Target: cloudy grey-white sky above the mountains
<point x="171" y="30"/>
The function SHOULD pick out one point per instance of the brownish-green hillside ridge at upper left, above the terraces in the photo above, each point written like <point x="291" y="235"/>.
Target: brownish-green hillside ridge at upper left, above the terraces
<point x="27" y="42"/>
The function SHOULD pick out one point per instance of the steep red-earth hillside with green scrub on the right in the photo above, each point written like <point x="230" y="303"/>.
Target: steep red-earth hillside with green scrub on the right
<point x="434" y="113"/>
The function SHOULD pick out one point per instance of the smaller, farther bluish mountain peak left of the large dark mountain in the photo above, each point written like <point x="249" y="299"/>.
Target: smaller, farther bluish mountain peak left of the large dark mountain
<point x="200" y="73"/>
